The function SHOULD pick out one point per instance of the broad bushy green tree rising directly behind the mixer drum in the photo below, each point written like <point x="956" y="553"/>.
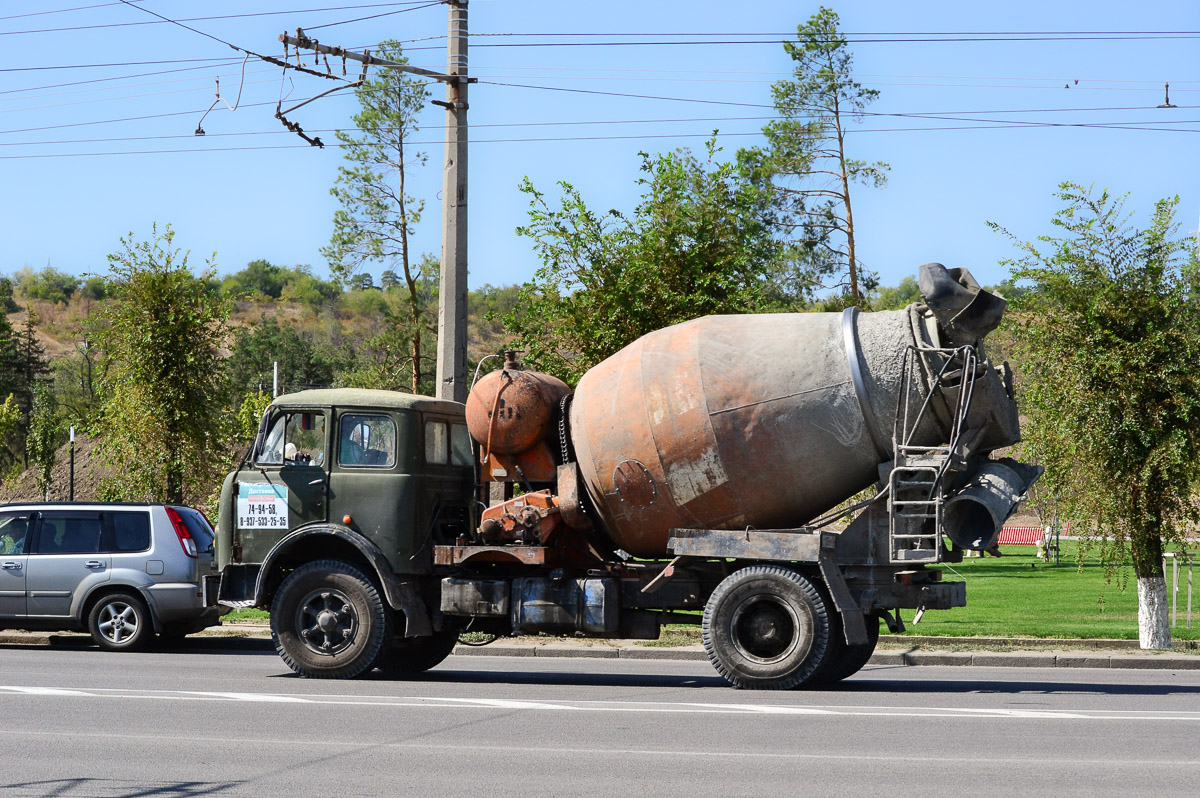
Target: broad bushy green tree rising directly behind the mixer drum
<point x="699" y="243"/>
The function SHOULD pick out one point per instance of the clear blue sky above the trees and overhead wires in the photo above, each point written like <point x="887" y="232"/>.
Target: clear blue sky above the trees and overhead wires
<point x="975" y="131"/>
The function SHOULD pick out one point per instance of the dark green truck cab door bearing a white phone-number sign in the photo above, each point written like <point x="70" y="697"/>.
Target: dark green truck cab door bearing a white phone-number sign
<point x="286" y="483"/>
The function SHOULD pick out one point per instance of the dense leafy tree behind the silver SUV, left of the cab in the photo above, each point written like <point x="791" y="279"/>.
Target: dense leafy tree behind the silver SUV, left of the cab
<point x="164" y="392"/>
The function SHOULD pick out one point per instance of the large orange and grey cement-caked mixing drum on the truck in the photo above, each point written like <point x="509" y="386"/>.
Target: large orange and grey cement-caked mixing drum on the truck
<point x="748" y="421"/>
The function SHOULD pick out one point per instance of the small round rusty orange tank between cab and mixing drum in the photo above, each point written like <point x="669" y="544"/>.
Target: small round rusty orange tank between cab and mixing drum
<point x="511" y="411"/>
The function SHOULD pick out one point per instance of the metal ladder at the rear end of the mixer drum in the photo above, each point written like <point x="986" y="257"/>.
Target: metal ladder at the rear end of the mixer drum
<point x="915" y="485"/>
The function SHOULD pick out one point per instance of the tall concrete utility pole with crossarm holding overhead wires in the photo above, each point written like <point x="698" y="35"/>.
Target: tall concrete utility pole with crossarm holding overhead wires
<point x="452" y="374"/>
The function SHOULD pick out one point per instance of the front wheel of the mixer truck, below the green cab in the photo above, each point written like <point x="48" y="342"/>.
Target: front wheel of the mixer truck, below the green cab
<point x="328" y="621"/>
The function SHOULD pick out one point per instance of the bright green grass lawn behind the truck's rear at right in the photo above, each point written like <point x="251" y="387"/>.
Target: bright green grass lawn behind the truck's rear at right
<point x="1017" y="596"/>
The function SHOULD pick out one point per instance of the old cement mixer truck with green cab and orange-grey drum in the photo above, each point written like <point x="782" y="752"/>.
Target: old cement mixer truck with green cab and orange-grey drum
<point x="787" y="482"/>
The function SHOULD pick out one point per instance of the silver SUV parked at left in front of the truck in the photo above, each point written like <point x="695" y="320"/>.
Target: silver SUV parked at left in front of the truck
<point x="122" y="572"/>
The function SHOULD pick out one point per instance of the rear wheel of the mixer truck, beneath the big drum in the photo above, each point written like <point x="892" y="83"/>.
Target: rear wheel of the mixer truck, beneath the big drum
<point x="766" y="628"/>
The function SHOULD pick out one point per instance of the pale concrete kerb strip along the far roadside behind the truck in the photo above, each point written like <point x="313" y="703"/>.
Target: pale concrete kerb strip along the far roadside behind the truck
<point x="895" y="651"/>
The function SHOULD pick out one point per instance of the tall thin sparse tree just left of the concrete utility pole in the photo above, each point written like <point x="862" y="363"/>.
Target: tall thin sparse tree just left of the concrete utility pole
<point x="377" y="213"/>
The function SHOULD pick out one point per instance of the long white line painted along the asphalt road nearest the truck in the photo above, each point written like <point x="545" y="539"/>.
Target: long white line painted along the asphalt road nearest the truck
<point x="658" y="707"/>
